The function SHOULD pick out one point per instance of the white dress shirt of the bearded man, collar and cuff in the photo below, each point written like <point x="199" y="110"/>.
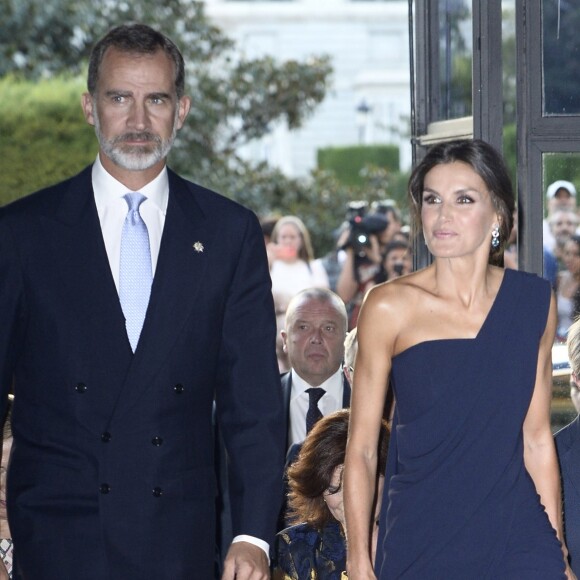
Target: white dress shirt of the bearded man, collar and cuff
<point x="112" y="210"/>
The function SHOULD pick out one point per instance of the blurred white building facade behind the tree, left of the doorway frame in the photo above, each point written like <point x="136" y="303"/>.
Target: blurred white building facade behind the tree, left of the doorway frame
<point x="368" y="100"/>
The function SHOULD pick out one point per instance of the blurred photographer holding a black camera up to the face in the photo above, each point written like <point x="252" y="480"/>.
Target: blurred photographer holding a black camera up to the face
<point x="363" y="240"/>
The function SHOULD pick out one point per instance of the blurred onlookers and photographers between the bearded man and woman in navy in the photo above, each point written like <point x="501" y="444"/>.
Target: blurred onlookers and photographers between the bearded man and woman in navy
<point x="373" y="246"/>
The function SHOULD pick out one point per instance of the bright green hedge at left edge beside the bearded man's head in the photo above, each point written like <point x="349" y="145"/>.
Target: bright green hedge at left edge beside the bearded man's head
<point x="44" y="137"/>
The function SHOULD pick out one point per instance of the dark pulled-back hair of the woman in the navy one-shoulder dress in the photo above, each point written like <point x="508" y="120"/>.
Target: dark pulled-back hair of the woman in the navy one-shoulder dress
<point x="487" y="163"/>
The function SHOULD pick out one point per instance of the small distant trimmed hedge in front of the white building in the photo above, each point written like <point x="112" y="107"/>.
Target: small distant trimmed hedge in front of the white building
<point x="348" y="163"/>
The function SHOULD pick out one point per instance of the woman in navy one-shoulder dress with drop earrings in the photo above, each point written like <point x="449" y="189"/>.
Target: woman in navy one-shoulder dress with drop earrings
<point x="473" y="486"/>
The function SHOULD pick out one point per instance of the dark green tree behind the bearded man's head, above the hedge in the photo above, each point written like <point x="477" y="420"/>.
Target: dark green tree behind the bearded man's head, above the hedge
<point x="235" y="99"/>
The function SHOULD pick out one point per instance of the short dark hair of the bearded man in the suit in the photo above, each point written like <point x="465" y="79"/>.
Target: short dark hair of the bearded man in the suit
<point x="136" y="39"/>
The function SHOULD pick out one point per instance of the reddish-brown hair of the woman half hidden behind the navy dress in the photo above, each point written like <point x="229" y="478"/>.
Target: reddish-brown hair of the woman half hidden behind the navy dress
<point x="310" y="475"/>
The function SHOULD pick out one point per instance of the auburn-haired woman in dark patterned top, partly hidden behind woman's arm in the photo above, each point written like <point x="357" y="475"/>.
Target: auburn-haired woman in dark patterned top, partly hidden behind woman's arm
<point x="315" y="546"/>
